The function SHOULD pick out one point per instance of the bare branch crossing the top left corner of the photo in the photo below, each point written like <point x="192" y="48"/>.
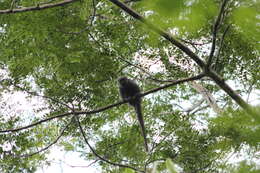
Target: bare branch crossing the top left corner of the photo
<point x="37" y="7"/>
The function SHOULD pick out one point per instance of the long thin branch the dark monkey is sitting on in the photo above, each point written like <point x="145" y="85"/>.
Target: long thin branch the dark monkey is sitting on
<point x="103" y="108"/>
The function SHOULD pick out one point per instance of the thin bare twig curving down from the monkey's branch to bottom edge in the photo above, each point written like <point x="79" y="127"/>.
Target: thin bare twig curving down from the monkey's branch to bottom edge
<point x="97" y="155"/>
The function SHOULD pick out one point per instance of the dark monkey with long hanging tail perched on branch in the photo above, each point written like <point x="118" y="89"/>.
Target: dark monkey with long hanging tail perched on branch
<point x="129" y="89"/>
